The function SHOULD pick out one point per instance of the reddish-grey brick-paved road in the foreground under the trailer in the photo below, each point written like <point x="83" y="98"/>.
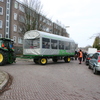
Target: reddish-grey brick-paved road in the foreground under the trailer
<point x="54" y="81"/>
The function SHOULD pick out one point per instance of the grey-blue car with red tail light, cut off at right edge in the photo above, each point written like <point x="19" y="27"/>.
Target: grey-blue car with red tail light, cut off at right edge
<point x="94" y="63"/>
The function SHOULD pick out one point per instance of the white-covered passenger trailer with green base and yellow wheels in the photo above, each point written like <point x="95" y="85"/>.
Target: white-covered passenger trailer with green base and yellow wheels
<point x="42" y="46"/>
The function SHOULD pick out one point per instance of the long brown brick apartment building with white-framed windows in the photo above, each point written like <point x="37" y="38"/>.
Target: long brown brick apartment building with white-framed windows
<point x="12" y="13"/>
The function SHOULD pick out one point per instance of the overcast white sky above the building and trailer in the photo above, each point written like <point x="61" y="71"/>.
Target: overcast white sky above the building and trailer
<point x="83" y="17"/>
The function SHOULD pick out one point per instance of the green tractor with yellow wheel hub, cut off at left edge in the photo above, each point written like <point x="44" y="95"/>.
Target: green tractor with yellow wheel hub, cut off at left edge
<point x="7" y="54"/>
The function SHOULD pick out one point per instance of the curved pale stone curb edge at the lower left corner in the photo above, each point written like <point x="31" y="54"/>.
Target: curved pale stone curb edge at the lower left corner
<point x="4" y="80"/>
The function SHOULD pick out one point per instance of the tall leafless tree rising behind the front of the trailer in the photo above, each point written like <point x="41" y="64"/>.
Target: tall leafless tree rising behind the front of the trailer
<point x="32" y="12"/>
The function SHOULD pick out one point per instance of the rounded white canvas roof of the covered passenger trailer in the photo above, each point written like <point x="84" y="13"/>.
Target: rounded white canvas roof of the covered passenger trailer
<point x="37" y="34"/>
